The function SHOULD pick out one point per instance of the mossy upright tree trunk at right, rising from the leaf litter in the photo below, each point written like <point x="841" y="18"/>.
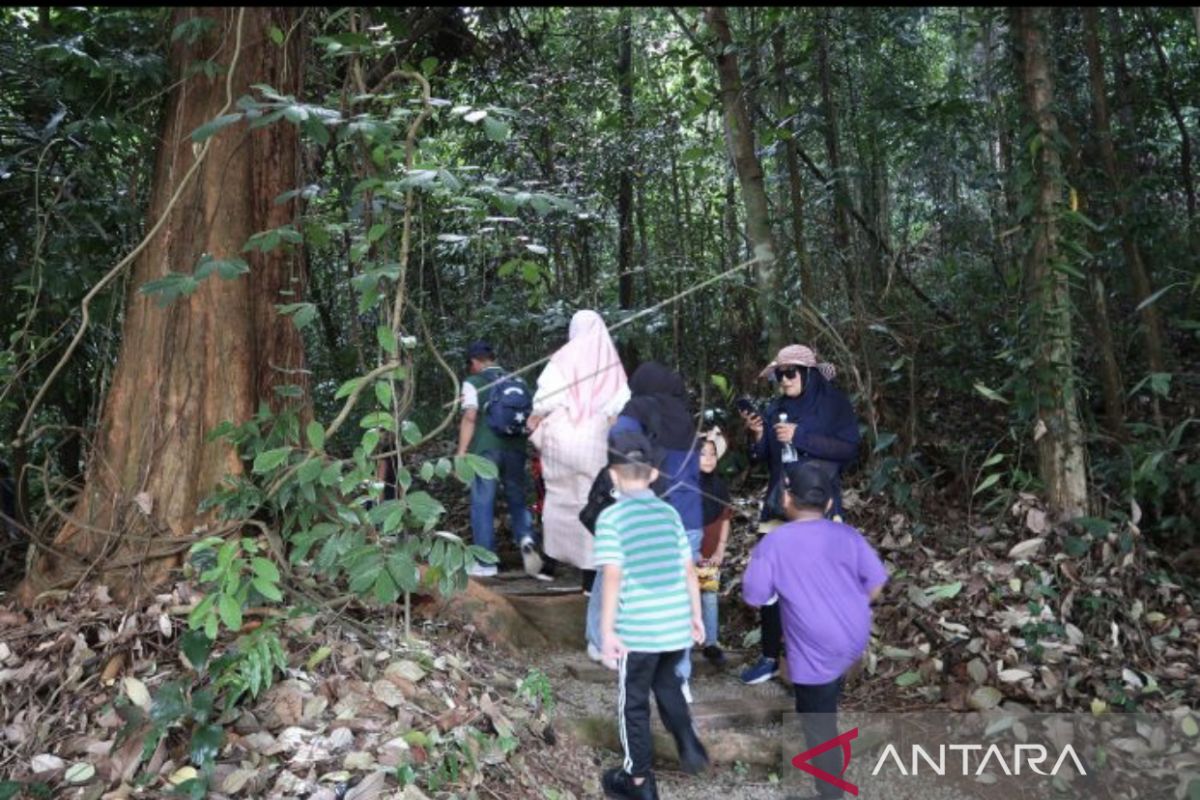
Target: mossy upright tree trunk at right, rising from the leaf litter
<point x="1059" y="435"/>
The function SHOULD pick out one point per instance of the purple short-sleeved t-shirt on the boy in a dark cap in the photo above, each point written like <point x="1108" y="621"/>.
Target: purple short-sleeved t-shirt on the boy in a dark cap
<point x="824" y="574"/>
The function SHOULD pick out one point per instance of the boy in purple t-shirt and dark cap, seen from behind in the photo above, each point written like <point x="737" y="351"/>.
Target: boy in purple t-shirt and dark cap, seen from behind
<point x="826" y="576"/>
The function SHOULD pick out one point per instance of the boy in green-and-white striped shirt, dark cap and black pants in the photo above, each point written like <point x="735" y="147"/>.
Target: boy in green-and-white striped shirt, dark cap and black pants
<point x="651" y="616"/>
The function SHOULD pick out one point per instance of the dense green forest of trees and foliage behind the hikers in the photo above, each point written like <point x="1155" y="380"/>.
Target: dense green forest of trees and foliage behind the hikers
<point x="245" y="251"/>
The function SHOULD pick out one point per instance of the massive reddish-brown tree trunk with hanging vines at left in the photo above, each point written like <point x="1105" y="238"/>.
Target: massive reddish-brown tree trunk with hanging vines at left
<point x="207" y="358"/>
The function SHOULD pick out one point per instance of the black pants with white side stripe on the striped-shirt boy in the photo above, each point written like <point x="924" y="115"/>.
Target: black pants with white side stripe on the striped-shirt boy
<point x="640" y="675"/>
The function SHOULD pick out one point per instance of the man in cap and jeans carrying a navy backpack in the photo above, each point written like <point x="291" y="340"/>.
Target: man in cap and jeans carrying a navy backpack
<point x="496" y="408"/>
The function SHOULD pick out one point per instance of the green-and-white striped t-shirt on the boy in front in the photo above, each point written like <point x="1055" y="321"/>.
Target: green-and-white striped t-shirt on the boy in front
<point x="645" y="537"/>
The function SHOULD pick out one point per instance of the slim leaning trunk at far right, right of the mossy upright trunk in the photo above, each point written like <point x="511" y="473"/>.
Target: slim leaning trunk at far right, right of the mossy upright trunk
<point x="1151" y="321"/>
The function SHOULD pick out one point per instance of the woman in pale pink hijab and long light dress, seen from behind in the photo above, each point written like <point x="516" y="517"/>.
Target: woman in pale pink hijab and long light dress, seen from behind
<point x="579" y="394"/>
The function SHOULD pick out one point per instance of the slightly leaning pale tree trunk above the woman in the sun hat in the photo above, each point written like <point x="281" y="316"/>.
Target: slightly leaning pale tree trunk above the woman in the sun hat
<point x="740" y="135"/>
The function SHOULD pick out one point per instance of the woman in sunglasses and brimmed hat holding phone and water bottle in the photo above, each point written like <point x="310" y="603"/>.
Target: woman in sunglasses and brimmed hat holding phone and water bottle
<point x="811" y="422"/>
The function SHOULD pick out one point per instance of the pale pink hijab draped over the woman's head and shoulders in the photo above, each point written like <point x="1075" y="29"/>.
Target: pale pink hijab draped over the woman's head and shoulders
<point x="591" y="365"/>
